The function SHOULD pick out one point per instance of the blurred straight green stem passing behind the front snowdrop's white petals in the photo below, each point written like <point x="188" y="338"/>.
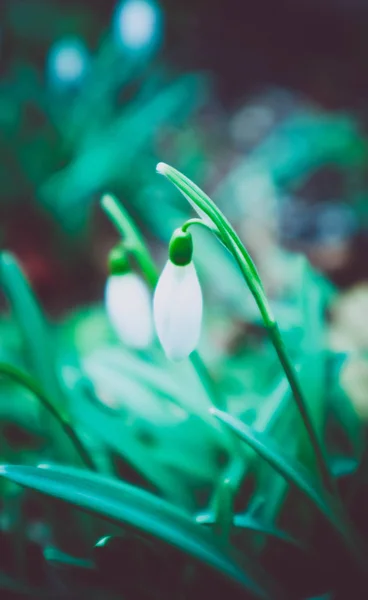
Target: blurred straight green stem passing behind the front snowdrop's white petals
<point x="134" y="242"/>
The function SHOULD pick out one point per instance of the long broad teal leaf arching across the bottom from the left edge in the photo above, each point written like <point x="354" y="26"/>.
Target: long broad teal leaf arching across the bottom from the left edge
<point x="126" y="505"/>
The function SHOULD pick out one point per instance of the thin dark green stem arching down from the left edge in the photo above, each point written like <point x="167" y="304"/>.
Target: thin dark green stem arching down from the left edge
<point x="30" y="384"/>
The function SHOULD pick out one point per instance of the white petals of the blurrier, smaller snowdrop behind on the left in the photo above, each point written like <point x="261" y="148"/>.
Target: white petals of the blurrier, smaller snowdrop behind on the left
<point x="128" y="306"/>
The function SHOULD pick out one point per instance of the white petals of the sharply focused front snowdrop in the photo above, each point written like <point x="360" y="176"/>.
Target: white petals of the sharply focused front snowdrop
<point x="177" y="308"/>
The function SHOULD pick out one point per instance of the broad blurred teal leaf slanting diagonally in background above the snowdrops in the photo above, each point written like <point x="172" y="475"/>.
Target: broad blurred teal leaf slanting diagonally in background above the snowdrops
<point x="105" y="158"/>
